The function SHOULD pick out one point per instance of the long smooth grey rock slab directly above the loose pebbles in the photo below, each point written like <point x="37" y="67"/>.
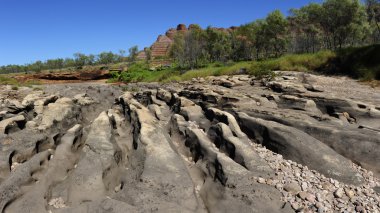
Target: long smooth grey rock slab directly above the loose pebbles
<point x="298" y="146"/>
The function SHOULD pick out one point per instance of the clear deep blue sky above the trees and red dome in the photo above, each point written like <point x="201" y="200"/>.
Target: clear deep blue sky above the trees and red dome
<point x="33" y="30"/>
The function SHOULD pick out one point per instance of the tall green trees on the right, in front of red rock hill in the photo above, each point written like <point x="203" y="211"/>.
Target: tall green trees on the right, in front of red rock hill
<point x="331" y="25"/>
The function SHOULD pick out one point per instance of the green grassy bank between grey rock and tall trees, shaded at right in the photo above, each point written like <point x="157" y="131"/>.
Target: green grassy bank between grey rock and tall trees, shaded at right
<point x="360" y="63"/>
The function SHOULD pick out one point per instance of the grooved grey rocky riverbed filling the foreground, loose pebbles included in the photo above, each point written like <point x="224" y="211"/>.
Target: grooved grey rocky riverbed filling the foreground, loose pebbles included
<point x="295" y="143"/>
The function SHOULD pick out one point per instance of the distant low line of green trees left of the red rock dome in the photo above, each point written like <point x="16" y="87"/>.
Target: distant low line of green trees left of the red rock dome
<point x="78" y="60"/>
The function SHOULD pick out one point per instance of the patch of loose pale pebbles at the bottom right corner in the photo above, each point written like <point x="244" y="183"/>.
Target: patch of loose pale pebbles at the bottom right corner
<point x="308" y="191"/>
